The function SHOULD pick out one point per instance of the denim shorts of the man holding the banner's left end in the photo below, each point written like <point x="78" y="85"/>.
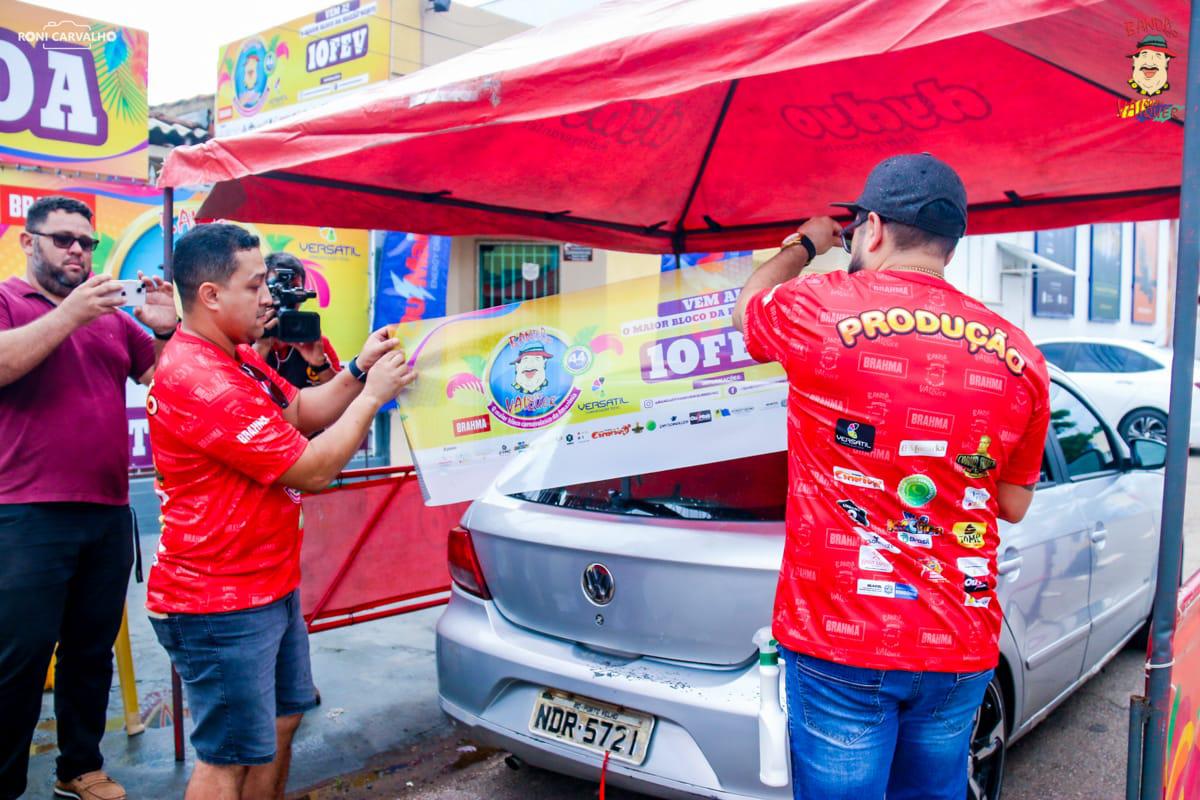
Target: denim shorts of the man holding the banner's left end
<point x="241" y="671"/>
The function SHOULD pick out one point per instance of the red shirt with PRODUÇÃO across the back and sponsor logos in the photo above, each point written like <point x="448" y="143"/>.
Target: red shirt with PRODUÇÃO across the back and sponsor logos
<point x="909" y="402"/>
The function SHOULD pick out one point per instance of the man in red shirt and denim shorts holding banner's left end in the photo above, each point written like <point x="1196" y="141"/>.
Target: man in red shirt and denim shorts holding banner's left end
<point x="232" y="459"/>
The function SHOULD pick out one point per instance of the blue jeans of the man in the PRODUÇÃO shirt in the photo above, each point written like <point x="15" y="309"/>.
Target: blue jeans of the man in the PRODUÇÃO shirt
<point x="865" y="735"/>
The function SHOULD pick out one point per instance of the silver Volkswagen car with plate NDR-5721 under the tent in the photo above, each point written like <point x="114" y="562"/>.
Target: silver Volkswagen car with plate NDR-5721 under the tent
<point x="617" y="617"/>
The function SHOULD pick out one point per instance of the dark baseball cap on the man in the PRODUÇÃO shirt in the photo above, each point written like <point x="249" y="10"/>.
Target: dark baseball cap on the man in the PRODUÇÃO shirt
<point x="916" y="190"/>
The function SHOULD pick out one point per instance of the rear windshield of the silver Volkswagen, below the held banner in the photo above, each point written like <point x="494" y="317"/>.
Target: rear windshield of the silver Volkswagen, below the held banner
<point x="752" y="490"/>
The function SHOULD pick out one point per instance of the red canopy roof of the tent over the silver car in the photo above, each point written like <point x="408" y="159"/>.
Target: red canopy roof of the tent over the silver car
<point x="698" y="125"/>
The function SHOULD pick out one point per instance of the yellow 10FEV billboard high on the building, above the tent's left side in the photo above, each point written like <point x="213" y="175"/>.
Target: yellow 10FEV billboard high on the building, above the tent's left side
<point x="298" y="65"/>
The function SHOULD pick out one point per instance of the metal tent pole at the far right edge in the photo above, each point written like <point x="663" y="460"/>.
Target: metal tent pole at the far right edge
<point x="1171" y="548"/>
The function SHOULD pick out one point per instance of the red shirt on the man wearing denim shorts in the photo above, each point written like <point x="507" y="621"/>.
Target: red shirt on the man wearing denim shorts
<point x="231" y="536"/>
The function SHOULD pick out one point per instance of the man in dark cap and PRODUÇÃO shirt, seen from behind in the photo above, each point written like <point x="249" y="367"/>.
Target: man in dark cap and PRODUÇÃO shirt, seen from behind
<point x="916" y="418"/>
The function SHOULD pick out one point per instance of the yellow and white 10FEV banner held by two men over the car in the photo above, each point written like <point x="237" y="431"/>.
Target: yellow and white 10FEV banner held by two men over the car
<point x="632" y="377"/>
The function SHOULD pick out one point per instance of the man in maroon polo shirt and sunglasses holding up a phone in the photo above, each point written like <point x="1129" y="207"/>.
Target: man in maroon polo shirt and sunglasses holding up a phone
<point x="65" y="527"/>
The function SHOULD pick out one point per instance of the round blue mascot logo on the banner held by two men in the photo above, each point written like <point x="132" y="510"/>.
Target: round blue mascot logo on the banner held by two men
<point x="529" y="382"/>
